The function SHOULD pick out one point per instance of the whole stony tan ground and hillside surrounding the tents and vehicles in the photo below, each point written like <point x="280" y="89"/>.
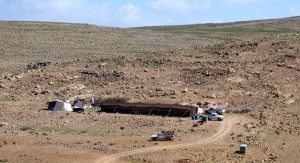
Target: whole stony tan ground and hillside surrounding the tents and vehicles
<point x="255" y="66"/>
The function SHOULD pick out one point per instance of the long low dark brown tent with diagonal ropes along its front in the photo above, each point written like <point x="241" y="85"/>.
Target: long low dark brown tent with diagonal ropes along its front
<point x="148" y="109"/>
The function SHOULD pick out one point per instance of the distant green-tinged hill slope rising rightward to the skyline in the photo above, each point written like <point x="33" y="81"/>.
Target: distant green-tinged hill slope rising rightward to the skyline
<point x="237" y="30"/>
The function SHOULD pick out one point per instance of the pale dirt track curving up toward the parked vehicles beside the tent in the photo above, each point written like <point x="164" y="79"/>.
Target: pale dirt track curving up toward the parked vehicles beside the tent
<point x="225" y="127"/>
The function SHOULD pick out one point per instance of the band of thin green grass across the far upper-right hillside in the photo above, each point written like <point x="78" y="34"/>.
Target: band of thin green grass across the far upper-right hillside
<point x="206" y="30"/>
